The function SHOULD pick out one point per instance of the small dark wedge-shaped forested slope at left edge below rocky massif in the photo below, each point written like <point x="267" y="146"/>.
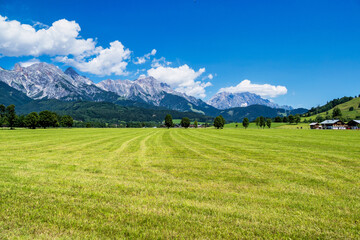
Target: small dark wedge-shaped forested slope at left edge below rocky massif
<point x="9" y="95"/>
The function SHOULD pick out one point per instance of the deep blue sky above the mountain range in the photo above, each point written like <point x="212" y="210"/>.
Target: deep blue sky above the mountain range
<point x="310" y="47"/>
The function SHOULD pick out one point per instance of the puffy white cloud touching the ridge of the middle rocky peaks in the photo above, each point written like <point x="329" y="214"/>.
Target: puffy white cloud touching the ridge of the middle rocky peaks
<point x="181" y="79"/>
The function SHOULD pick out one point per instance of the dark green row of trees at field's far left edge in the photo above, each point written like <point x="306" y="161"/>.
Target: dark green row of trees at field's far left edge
<point x="44" y="119"/>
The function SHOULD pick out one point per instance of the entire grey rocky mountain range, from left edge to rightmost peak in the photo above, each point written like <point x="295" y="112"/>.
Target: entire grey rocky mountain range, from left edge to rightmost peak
<point x="42" y="81"/>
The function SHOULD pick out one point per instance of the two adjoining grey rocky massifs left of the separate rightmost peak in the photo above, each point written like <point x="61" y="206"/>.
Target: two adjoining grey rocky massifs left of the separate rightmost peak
<point x="46" y="81"/>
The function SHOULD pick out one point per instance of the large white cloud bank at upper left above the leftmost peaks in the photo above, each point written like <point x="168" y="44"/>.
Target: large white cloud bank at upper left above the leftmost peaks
<point x="62" y="40"/>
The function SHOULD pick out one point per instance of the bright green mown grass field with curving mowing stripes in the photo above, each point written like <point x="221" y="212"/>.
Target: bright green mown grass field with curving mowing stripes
<point x="177" y="183"/>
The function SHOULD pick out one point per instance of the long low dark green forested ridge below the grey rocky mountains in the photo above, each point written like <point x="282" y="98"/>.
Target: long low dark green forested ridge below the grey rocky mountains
<point x="104" y="111"/>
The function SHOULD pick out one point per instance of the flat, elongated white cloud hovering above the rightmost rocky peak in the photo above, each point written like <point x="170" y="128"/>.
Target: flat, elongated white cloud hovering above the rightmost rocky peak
<point x="264" y="90"/>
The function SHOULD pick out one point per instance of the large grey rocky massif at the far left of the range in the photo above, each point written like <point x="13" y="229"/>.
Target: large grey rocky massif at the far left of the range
<point x="46" y="81"/>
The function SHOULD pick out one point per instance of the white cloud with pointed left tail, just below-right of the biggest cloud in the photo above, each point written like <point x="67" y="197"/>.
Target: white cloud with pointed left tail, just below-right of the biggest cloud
<point x="101" y="61"/>
